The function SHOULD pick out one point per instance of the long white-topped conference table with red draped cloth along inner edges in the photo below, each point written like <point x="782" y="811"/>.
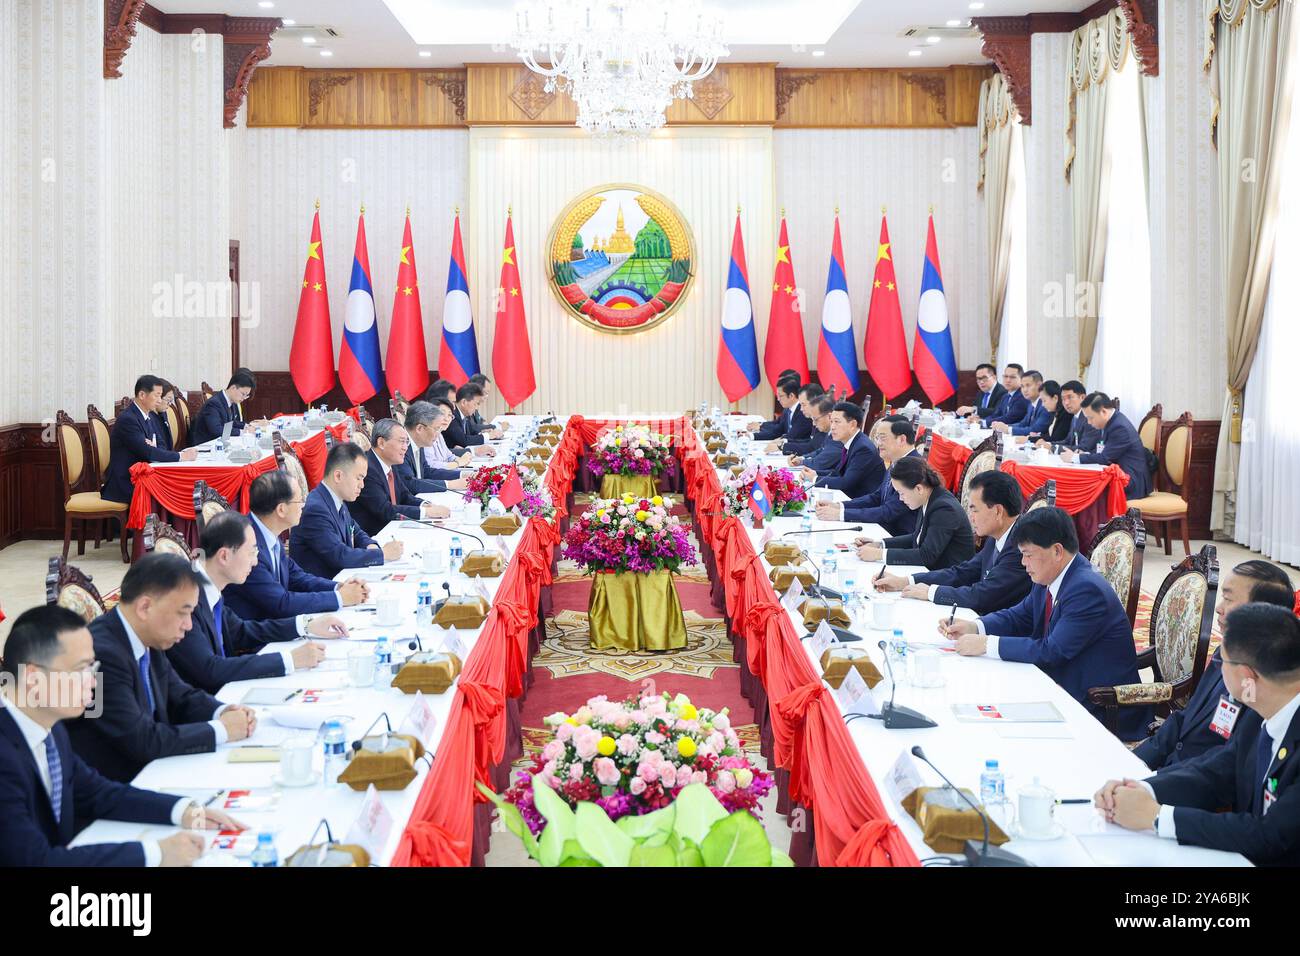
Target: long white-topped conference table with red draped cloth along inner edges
<point x="838" y="775"/>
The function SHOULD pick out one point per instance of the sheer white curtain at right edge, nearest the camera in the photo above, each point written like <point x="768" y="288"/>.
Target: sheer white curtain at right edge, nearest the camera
<point x="1268" y="511"/>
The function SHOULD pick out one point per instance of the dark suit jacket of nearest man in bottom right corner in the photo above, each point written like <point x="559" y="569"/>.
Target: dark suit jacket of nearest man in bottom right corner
<point x="1228" y="777"/>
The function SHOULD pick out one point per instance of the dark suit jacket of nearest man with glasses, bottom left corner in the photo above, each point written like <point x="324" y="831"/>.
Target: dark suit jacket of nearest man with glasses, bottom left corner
<point x="31" y="836"/>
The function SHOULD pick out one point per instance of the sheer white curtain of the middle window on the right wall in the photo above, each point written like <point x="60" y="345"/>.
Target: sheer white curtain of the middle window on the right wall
<point x="1121" y="362"/>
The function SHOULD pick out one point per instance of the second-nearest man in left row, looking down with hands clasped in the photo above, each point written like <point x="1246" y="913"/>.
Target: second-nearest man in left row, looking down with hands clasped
<point x="149" y="712"/>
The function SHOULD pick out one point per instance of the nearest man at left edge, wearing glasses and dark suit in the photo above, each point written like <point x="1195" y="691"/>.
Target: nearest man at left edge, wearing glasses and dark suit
<point x="47" y="793"/>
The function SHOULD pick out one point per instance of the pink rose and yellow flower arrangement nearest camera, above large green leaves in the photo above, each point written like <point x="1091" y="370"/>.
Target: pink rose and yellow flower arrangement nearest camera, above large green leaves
<point x="634" y="758"/>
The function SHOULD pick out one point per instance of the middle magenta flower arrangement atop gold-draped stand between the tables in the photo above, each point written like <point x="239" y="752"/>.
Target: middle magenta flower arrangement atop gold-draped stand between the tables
<point x="630" y="534"/>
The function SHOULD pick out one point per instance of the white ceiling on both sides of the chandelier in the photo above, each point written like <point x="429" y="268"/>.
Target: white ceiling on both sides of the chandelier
<point x="852" y="33"/>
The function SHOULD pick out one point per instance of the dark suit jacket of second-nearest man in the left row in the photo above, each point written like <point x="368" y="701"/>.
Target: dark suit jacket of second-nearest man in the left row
<point x="128" y="736"/>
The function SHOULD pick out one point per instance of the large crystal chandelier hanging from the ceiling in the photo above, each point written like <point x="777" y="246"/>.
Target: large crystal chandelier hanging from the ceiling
<point x="622" y="62"/>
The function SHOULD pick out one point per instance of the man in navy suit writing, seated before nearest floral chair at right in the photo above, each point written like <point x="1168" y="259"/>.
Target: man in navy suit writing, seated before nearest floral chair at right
<point x="1072" y="625"/>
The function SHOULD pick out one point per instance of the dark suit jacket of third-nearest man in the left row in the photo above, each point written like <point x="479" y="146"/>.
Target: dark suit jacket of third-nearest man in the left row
<point x="200" y="663"/>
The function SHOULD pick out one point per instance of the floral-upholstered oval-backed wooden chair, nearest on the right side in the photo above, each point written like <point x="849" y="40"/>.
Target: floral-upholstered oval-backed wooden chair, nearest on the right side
<point x="1182" y="620"/>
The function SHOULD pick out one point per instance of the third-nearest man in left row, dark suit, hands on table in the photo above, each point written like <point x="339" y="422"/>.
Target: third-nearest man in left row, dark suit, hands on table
<point x="222" y="647"/>
